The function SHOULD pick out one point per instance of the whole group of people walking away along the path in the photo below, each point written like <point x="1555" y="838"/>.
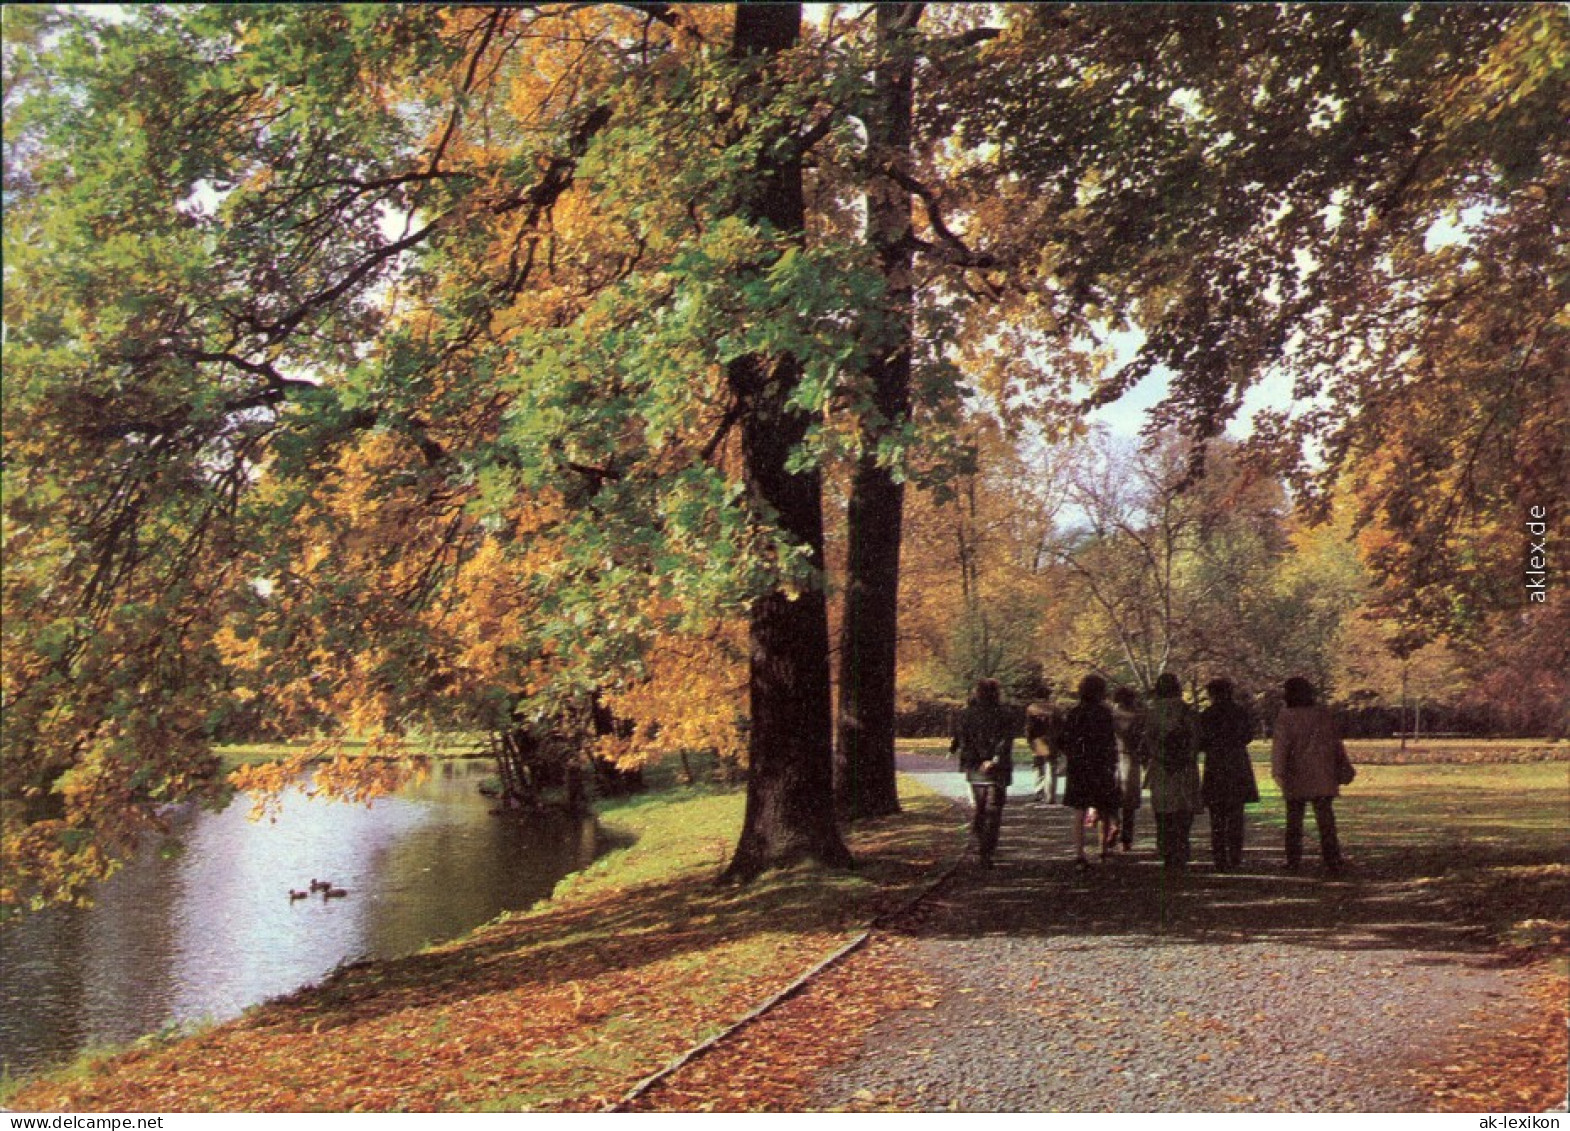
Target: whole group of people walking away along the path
<point x="1186" y="761"/>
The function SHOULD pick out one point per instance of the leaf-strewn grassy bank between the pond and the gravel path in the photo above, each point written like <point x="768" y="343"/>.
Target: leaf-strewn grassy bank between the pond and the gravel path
<point x="561" y="1008"/>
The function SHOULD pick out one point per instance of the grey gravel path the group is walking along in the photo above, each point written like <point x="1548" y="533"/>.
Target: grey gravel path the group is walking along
<point x="1123" y="989"/>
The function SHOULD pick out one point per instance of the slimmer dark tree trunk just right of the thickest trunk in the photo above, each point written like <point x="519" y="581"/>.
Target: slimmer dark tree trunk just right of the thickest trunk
<point x="869" y="635"/>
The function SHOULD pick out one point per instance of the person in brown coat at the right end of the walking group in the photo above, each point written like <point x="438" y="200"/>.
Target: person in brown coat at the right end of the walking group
<point x="1304" y="753"/>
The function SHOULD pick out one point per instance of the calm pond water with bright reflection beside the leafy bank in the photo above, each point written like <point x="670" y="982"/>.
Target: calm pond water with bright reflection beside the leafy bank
<point x="202" y="926"/>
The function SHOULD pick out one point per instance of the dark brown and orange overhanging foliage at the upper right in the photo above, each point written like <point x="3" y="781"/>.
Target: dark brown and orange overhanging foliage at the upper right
<point x="1367" y="202"/>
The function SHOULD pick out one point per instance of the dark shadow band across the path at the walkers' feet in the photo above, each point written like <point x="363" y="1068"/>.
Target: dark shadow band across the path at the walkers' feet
<point x="1035" y="890"/>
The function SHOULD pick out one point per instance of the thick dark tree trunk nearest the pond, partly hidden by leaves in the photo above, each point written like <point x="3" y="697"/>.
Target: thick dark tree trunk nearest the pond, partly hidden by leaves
<point x="790" y="764"/>
